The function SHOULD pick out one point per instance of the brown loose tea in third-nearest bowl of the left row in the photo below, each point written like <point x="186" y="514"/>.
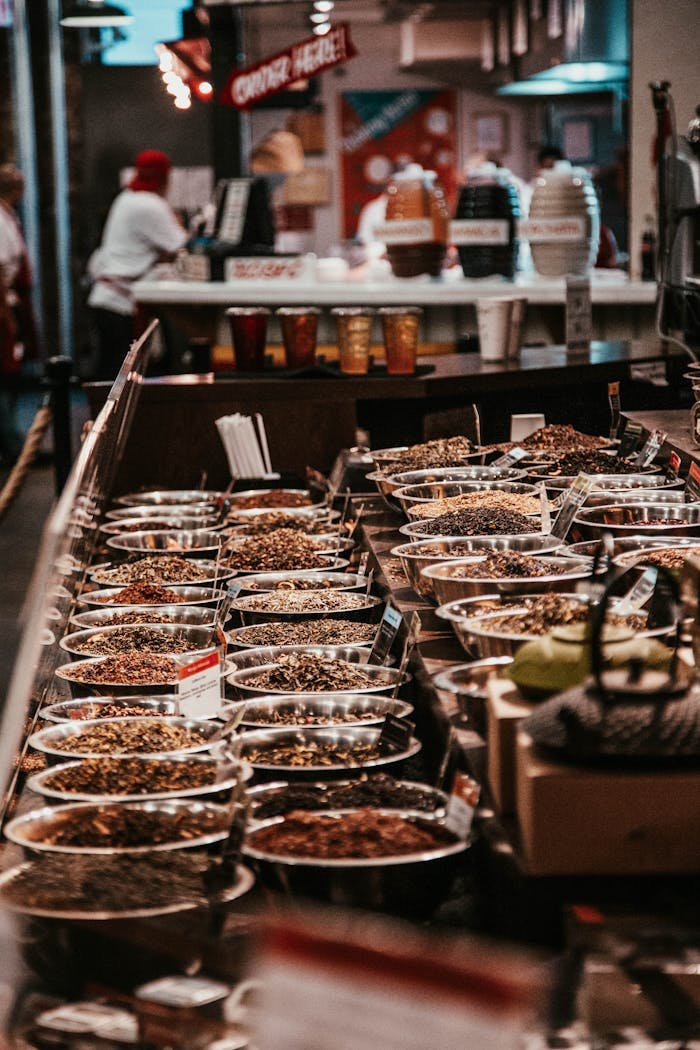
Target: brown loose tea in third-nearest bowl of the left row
<point x="124" y="776"/>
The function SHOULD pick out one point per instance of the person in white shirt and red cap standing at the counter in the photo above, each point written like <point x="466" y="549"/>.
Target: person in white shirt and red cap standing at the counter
<point x="141" y="230"/>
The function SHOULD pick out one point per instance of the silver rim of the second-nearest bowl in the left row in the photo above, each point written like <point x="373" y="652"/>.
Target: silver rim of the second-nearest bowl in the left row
<point x="23" y="830"/>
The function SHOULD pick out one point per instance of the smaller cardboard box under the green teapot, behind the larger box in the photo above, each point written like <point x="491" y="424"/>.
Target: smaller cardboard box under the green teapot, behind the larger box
<point x="505" y="708"/>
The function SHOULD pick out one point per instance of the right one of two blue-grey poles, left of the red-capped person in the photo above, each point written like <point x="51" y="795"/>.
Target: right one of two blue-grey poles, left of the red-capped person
<point x="61" y="187"/>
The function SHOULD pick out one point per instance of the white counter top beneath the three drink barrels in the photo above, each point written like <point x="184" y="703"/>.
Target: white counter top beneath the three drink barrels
<point x="607" y="288"/>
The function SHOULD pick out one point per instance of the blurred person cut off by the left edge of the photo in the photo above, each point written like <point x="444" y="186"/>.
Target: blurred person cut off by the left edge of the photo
<point x="18" y="332"/>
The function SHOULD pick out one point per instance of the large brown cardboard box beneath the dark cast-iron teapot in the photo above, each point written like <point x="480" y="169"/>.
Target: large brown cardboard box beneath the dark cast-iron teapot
<point x="578" y="821"/>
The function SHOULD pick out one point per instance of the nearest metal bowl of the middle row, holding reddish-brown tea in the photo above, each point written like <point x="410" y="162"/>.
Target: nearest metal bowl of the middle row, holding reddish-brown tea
<point x="414" y="886"/>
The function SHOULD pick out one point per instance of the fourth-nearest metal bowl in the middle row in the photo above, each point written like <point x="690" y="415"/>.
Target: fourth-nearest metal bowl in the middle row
<point x="314" y="713"/>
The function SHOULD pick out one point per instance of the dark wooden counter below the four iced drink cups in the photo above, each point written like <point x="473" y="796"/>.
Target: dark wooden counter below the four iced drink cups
<point x="174" y="437"/>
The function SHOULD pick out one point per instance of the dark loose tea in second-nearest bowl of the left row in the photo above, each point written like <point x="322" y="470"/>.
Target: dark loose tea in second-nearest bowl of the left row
<point x="124" y="827"/>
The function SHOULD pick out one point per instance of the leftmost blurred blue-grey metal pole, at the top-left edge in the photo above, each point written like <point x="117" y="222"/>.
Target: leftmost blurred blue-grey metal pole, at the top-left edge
<point x="26" y="142"/>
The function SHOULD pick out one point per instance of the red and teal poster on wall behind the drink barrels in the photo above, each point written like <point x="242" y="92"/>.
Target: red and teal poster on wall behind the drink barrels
<point x="384" y="131"/>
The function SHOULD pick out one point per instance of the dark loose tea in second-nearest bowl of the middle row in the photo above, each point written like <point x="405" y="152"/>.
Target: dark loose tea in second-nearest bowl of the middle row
<point x="380" y="791"/>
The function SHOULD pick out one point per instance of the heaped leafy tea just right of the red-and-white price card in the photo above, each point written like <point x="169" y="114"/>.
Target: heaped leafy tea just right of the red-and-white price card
<point x="309" y="674"/>
